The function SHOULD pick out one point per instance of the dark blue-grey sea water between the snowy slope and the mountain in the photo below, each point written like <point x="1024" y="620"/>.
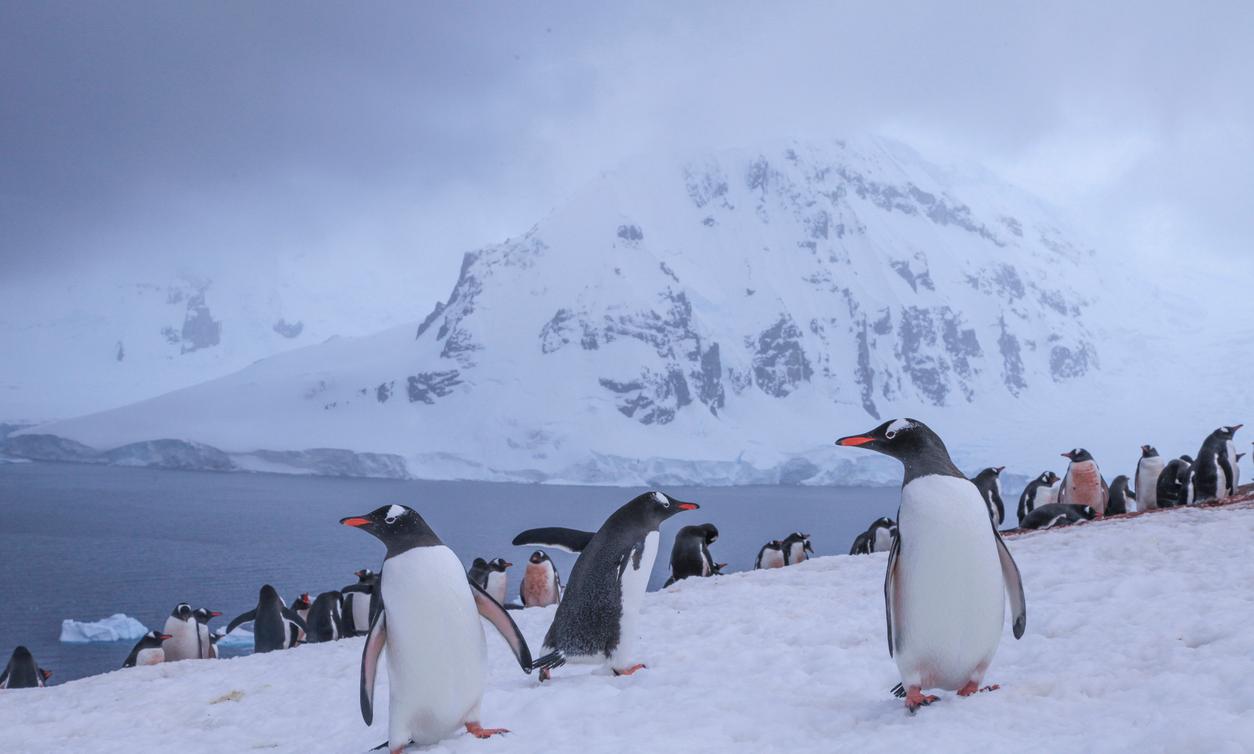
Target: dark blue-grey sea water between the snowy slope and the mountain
<point x="86" y="543"/>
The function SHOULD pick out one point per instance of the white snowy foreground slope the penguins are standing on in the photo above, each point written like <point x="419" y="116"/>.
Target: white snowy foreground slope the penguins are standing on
<point x="1138" y="640"/>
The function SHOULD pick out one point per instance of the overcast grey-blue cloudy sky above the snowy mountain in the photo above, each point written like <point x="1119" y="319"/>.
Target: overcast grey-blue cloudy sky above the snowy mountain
<point x="135" y="131"/>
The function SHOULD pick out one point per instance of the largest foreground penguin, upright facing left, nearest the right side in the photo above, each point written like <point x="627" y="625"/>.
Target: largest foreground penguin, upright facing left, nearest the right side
<point x="949" y="573"/>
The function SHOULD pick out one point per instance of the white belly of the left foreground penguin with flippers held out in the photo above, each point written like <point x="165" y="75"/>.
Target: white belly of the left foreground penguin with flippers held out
<point x="437" y="654"/>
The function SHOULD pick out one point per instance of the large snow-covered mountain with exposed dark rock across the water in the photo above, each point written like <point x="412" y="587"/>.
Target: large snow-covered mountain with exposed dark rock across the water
<point x="717" y="319"/>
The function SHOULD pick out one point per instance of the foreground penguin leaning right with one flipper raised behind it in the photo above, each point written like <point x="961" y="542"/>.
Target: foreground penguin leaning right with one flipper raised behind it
<point x="596" y="619"/>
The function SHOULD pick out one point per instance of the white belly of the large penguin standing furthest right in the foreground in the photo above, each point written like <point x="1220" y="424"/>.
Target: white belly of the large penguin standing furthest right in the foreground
<point x="951" y="597"/>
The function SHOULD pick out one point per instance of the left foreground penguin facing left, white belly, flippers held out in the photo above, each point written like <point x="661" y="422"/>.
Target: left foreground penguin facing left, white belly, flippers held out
<point x="429" y="622"/>
